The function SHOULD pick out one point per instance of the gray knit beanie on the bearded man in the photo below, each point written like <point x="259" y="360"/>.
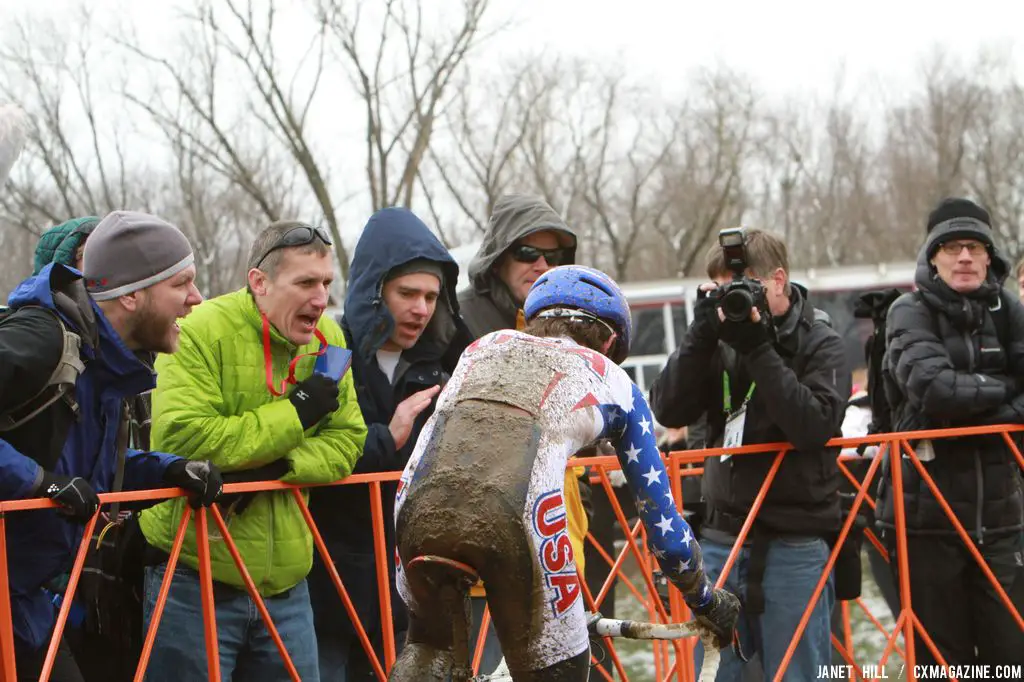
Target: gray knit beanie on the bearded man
<point x="129" y="251"/>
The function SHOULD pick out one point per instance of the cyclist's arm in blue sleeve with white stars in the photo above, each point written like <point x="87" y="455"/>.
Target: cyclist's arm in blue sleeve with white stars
<point x="669" y="536"/>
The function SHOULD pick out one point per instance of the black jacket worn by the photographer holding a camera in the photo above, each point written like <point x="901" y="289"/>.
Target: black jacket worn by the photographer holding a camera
<point x="802" y="386"/>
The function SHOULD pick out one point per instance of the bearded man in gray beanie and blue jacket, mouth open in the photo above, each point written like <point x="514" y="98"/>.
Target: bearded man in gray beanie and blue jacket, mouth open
<point x="68" y="366"/>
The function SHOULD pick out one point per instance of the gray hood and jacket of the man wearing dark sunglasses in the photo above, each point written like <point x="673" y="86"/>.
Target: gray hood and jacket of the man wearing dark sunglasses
<point x="488" y="305"/>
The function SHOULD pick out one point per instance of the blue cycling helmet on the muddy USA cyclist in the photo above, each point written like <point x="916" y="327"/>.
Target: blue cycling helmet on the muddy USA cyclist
<point x="582" y="288"/>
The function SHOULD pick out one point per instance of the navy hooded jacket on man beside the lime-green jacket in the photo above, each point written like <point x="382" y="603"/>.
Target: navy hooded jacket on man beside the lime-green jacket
<point x="392" y="238"/>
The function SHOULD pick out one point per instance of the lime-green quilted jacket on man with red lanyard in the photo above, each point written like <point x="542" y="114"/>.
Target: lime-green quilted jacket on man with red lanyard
<point x="212" y="403"/>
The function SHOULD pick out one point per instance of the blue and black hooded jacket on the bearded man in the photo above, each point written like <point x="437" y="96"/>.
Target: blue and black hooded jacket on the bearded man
<point x="41" y="544"/>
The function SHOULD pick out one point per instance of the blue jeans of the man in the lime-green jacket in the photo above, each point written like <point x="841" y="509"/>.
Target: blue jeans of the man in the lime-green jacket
<point x="247" y="651"/>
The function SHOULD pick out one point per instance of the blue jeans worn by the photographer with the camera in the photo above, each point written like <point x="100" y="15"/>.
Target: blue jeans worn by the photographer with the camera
<point x="792" y="571"/>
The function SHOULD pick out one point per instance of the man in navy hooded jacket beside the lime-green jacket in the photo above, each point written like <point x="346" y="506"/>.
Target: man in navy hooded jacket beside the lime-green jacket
<point x="402" y="324"/>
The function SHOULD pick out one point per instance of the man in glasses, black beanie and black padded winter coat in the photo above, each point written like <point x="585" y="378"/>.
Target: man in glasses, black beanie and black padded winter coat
<point x="956" y="358"/>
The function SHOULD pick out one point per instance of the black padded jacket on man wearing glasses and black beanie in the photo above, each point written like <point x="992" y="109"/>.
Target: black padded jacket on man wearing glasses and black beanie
<point x="957" y="361"/>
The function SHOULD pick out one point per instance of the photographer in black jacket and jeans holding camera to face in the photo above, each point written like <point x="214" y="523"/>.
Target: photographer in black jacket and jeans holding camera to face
<point x="762" y="367"/>
